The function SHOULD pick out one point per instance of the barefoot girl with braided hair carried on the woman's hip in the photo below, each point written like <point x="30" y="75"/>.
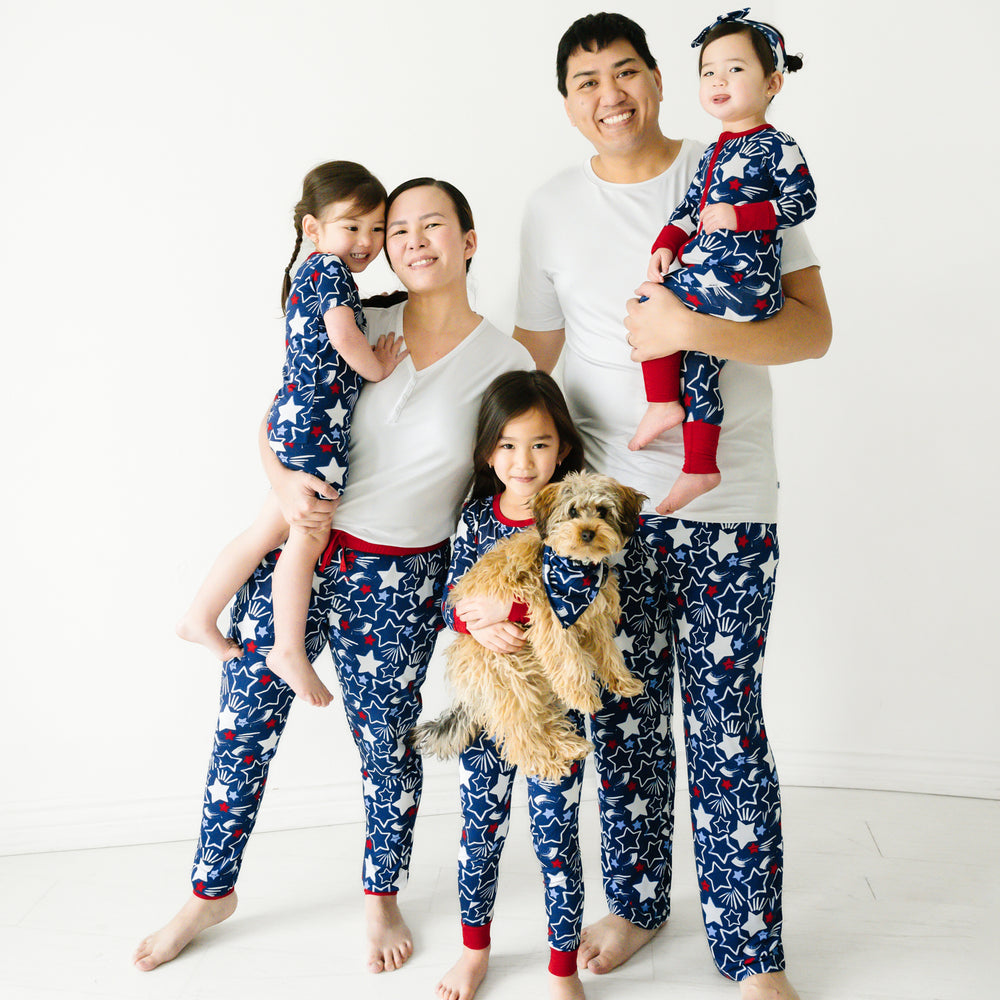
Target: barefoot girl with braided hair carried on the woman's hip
<point x="327" y="359"/>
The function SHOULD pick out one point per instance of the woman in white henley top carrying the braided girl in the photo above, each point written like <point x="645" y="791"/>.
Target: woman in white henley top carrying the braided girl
<point x="379" y="585"/>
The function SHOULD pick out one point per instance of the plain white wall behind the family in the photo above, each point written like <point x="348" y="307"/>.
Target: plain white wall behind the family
<point x="151" y="157"/>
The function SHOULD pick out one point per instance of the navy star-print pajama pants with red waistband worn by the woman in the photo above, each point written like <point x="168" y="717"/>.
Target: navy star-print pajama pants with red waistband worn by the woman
<point x="380" y="614"/>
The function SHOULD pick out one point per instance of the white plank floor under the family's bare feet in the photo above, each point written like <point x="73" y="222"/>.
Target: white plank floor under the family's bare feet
<point x="888" y="896"/>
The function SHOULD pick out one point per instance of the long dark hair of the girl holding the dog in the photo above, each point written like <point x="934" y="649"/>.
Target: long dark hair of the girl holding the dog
<point x="509" y="396"/>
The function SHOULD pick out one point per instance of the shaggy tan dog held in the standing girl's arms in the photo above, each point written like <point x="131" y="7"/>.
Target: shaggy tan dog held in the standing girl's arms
<point x="521" y="698"/>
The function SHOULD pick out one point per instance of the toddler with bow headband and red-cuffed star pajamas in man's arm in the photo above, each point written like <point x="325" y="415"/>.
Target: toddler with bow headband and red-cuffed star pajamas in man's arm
<point x="725" y="235"/>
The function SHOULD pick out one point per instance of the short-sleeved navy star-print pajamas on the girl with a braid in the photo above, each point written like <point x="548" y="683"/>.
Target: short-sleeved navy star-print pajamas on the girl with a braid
<point x="308" y="427"/>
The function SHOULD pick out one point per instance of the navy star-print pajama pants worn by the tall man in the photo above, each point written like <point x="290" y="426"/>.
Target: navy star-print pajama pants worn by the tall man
<point x="706" y="588"/>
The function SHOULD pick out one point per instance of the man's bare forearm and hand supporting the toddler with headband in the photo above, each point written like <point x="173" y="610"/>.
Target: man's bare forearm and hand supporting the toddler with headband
<point x="802" y="329"/>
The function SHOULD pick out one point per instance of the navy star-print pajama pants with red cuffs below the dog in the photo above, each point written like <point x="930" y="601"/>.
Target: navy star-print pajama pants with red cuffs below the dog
<point x="486" y="785"/>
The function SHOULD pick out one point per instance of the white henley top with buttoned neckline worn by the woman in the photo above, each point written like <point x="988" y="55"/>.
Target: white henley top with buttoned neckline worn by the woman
<point x="412" y="437"/>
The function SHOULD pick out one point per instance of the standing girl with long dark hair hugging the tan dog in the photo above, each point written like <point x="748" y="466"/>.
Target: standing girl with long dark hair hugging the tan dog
<point x="524" y="440"/>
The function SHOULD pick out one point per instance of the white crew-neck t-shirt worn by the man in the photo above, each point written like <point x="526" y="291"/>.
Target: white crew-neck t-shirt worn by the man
<point x="585" y="247"/>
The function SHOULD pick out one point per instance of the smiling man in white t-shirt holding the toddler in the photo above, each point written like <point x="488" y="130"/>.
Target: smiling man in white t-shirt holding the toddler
<point x="702" y="582"/>
